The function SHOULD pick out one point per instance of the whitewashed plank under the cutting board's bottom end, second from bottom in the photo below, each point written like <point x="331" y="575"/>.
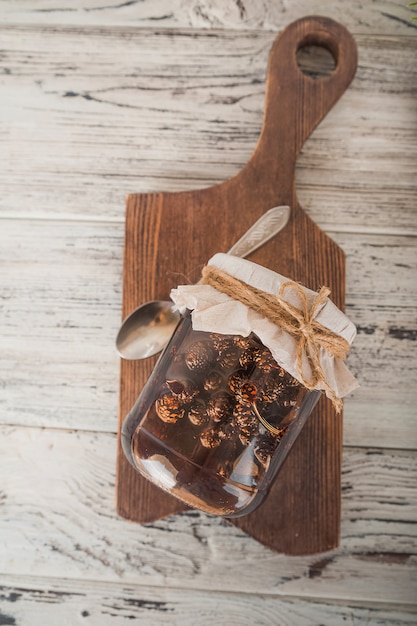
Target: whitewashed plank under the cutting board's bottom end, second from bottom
<point x="57" y="517"/>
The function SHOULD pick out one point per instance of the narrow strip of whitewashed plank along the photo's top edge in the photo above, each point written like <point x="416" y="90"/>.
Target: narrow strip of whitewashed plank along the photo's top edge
<point x="383" y="16"/>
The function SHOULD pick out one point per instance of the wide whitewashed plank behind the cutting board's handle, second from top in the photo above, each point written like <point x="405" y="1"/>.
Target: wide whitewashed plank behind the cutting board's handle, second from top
<point x="91" y="114"/>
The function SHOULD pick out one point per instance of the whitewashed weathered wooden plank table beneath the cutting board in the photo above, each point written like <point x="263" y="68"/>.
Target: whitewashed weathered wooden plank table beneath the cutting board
<point x="101" y="99"/>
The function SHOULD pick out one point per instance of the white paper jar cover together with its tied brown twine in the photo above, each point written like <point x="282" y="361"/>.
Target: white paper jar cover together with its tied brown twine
<point x="306" y="333"/>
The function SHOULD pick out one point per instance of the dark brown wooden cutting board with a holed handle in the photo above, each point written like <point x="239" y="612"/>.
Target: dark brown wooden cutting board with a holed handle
<point x="170" y="236"/>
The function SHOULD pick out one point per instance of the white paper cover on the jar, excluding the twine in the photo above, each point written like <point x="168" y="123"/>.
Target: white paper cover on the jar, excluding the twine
<point x="214" y="311"/>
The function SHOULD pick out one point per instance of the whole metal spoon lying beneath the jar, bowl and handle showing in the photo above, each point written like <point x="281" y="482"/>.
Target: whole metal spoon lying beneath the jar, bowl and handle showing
<point x="147" y="330"/>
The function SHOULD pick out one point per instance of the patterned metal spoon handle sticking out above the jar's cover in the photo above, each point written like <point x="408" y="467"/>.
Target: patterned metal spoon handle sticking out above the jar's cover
<point x="268" y="225"/>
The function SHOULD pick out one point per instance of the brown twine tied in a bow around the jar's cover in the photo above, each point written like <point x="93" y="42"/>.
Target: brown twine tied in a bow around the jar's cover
<point x="300" y="323"/>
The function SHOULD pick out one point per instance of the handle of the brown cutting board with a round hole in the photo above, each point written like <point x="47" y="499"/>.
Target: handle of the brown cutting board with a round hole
<point x="295" y="102"/>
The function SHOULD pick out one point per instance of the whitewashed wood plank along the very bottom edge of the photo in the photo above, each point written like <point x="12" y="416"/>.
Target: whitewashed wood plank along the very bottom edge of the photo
<point x="30" y="601"/>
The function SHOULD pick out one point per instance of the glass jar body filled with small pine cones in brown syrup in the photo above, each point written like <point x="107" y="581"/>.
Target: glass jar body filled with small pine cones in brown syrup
<point x="215" y="421"/>
